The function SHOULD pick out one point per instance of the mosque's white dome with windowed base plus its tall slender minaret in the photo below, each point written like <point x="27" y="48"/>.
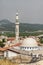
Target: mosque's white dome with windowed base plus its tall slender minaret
<point x="28" y="43"/>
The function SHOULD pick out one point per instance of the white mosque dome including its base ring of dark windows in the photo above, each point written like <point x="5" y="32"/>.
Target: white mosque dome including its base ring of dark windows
<point x="29" y="44"/>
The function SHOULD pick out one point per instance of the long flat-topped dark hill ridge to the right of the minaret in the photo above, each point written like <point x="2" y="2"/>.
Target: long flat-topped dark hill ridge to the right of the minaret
<point x="30" y="27"/>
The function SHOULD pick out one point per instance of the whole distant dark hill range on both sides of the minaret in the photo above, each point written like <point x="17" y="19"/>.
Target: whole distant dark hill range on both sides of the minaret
<point x="6" y="25"/>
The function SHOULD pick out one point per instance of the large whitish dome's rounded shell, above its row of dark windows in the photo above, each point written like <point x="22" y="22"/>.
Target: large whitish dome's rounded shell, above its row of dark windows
<point x="29" y="42"/>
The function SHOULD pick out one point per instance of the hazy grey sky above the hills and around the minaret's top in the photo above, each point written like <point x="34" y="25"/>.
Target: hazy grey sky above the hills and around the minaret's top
<point x="30" y="11"/>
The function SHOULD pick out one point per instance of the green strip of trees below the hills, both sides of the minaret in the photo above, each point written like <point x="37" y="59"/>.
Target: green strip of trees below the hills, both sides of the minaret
<point x="12" y="34"/>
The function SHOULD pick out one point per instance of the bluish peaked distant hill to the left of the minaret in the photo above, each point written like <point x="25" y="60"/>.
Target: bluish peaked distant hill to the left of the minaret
<point x="6" y="25"/>
